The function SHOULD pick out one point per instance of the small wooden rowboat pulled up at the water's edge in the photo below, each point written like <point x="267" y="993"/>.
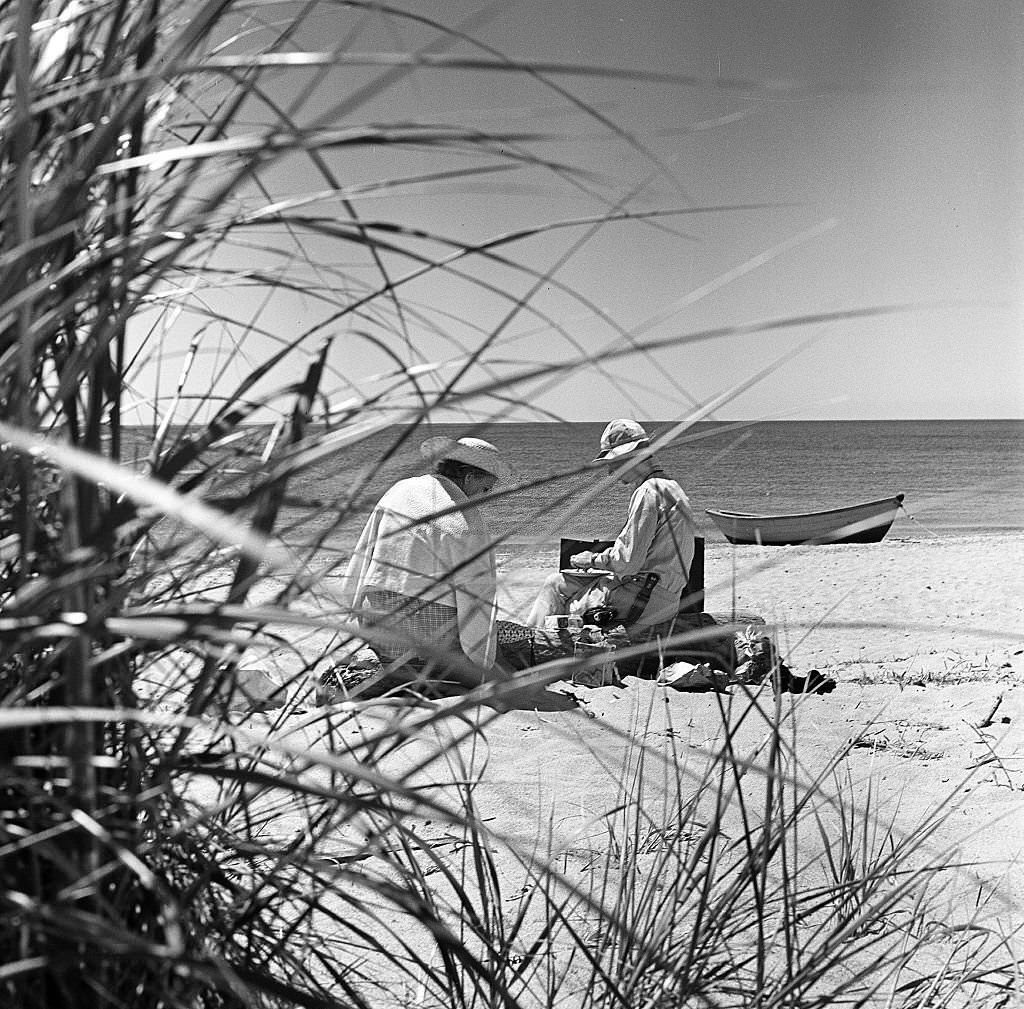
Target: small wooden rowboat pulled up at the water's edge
<point x="866" y="523"/>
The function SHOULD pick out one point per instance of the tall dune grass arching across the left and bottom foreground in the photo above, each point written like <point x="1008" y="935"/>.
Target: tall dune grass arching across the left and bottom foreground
<point x="173" y="175"/>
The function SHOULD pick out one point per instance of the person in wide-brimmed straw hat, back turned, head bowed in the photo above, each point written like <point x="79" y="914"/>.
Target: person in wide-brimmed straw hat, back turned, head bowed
<point x="423" y="572"/>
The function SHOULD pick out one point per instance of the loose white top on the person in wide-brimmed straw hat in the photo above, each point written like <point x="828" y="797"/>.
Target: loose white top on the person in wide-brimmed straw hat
<point x="425" y="539"/>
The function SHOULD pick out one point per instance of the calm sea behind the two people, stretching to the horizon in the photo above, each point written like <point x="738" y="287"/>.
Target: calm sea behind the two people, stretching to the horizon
<point x="959" y="478"/>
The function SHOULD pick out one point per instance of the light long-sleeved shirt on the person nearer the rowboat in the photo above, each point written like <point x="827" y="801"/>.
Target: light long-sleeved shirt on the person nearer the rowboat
<point x="658" y="537"/>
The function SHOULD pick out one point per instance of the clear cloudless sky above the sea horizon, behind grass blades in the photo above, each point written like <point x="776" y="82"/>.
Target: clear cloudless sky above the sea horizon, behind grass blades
<point x="852" y="158"/>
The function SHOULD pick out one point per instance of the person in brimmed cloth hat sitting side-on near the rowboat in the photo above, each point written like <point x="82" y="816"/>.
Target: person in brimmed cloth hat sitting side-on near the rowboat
<point x="650" y="561"/>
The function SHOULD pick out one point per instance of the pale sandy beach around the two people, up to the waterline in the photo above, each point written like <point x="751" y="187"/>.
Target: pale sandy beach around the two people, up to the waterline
<point x="926" y="643"/>
